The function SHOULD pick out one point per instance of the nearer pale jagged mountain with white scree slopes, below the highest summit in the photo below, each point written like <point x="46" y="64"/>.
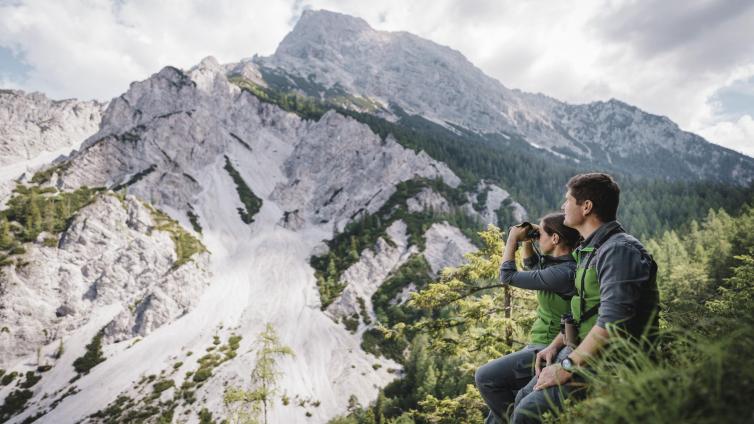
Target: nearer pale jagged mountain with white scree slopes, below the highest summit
<point x="199" y="148"/>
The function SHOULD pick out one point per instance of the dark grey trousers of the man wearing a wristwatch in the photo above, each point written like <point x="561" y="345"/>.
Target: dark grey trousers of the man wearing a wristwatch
<point x="531" y="404"/>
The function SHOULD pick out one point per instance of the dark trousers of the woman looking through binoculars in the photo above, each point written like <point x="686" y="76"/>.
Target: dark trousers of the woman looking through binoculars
<point x="499" y="380"/>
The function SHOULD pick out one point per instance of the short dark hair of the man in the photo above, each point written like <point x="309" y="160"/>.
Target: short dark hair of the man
<point x="601" y="189"/>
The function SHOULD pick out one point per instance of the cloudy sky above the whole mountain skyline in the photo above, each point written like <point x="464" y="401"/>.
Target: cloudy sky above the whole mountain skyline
<point x="689" y="60"/>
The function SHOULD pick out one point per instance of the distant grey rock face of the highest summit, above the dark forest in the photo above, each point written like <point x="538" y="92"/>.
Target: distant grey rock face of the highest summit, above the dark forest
<point x="340" y="53"/>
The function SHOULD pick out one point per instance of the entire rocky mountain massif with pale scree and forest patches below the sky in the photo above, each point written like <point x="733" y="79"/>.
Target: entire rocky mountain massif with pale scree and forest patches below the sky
<point x="313" y="191"/>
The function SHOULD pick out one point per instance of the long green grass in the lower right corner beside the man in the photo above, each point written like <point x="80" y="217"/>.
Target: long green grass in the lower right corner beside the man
<point x="686" y="378"/>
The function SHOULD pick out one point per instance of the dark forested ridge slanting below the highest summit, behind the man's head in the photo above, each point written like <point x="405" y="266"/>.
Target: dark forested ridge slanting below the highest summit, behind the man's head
<point x="534" y="178"/>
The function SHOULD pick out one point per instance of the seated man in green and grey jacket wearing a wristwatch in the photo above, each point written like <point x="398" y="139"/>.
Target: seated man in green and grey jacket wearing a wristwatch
<point x="615" y="282"/>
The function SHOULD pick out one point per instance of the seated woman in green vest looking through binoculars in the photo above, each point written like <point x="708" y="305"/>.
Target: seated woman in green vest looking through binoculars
<point x="552" y="277"/>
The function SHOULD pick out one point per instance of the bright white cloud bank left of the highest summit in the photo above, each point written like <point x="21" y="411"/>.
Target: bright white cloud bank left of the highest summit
<point x="95" y="48"/>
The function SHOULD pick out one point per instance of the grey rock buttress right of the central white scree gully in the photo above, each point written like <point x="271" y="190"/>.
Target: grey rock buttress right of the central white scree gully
<point x="334" y="190"/>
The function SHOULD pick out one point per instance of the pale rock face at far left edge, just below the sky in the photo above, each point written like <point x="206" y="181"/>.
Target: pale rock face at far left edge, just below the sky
<point x="31" y="124"/>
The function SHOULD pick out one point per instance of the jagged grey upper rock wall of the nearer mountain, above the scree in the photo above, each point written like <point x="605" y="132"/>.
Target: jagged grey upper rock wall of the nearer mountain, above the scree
<point x="181" y="124"/>
